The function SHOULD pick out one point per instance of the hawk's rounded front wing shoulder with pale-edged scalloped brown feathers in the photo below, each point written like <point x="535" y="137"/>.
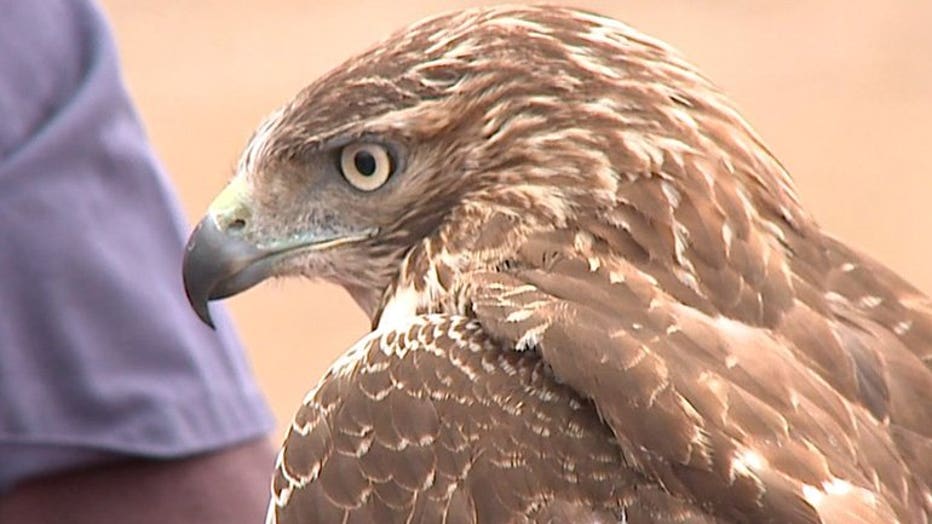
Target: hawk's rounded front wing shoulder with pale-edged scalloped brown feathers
<point x="435" y="422"/>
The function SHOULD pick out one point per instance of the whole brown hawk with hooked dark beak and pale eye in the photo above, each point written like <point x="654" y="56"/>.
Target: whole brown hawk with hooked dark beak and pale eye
<point x="594" y="293"/>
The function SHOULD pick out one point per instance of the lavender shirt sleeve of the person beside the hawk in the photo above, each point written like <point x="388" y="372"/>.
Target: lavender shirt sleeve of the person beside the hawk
<point x="100" y="355"/>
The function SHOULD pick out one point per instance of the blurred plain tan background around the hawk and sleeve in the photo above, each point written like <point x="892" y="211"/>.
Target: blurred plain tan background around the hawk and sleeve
<point x="842" y="91"/>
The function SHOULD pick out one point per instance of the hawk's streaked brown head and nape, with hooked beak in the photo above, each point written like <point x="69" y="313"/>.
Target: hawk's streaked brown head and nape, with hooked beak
<point x="532" y="115"/>
